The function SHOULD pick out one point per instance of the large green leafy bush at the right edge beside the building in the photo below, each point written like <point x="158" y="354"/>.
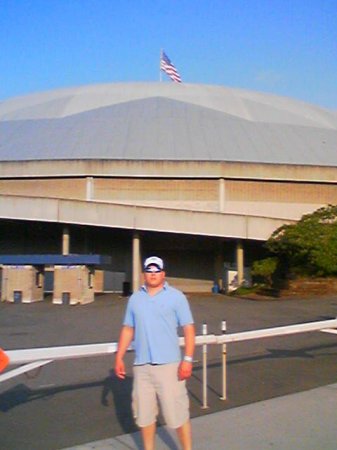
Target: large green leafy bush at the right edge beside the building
<point x="309" y="247"/>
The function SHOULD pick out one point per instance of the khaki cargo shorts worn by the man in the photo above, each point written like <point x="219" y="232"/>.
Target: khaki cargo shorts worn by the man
<point x="153" y="382"/>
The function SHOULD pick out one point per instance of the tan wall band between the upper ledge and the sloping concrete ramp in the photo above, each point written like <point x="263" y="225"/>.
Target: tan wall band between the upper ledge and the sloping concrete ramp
<point x="192" y="194"/>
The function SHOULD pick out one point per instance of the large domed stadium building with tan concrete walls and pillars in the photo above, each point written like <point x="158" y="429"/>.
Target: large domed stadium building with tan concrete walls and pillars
<point x="201" y="175"/>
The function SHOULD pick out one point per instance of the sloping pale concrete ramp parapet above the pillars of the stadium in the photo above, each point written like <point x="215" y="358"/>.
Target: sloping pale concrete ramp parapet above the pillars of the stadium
<point x="136" y="217"/>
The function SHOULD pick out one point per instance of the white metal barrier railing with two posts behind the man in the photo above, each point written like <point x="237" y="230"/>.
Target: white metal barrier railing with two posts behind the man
<point x="37" y="357"/>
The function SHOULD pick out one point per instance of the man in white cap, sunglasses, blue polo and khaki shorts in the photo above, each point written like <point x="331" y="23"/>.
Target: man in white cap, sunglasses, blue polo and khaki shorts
<point x="151" y="320"/>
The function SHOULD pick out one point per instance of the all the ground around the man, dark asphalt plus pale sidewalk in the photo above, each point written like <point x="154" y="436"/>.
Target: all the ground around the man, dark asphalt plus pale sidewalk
<point x="280" y="390"/>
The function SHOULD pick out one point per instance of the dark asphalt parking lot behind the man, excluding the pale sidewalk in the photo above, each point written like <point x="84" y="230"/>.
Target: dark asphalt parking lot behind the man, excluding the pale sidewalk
<point x="72" y="402"/>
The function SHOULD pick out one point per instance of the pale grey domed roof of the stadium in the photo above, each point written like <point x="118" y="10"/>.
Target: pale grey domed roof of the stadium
<point x="166" y="121"/>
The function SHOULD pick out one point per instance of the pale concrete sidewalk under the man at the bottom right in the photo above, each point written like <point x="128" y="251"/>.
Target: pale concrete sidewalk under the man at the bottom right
<point x="302" y="421"/>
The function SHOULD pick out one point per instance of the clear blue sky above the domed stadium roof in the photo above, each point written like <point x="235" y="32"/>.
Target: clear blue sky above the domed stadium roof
<point x="285" y="47"/>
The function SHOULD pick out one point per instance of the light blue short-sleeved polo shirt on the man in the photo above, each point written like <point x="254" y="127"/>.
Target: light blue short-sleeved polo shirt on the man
<point x="155" y="320"/>
